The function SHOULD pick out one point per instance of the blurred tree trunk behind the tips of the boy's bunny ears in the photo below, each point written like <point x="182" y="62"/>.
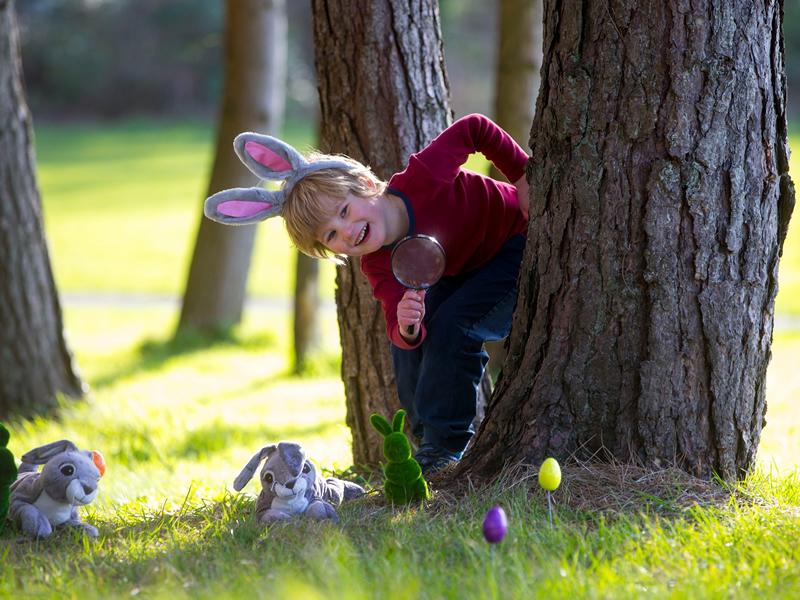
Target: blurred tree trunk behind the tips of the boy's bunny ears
<point x="254" y="90"/>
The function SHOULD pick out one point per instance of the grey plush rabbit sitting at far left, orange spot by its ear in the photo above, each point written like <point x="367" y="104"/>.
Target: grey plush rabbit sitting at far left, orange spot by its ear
<point x="42" y="500"/>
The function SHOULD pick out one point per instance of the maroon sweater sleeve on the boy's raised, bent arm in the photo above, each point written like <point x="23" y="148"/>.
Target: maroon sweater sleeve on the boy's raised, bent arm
<point x="445" y="155"/>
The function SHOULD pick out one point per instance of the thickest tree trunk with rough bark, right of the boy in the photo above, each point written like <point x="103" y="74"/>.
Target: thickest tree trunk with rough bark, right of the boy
<point x="660" y="198"/>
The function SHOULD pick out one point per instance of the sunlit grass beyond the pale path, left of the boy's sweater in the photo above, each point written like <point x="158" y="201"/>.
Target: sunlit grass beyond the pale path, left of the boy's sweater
<point x="122" y="203"/>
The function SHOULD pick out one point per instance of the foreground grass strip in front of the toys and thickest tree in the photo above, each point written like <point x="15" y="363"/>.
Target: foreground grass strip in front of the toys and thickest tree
<point x="213" y="549"/>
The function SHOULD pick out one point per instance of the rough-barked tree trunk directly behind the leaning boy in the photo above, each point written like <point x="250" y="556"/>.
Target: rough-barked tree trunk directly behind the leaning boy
<point x="383" y="94"/>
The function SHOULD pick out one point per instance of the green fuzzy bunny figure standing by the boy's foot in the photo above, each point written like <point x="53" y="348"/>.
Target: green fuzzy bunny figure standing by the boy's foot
<point x="404" y="481"/>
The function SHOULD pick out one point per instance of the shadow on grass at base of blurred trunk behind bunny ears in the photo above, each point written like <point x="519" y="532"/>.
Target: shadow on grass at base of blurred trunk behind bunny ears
<point x="153" y="354"/>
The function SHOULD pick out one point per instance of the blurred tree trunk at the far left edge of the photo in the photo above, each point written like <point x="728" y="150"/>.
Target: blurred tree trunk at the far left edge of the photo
<point x="35" y="362"/>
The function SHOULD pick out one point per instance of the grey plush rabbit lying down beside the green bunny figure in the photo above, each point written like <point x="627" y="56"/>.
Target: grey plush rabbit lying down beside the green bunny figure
<point x="291" y="485"/>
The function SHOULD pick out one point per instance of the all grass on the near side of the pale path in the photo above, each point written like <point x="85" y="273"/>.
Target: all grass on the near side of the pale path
<point x="177" y="420"/>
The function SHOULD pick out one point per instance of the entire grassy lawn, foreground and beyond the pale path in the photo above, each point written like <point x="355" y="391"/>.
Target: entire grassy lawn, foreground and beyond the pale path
<point x="177" y="420"/>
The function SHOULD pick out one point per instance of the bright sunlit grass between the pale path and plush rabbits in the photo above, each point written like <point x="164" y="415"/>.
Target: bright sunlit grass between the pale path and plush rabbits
<point x="173" y="413"/>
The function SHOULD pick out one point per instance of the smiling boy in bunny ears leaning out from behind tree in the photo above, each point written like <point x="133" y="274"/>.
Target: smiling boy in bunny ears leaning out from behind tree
<point x="333" y="205"/>
